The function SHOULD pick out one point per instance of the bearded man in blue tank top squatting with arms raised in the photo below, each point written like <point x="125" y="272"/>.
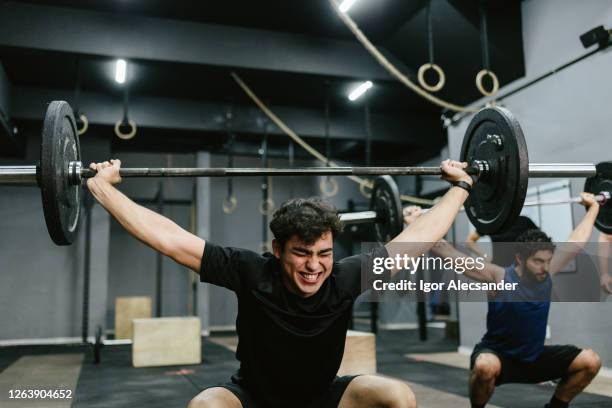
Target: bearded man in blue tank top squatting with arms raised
<point x="513" y="350"/>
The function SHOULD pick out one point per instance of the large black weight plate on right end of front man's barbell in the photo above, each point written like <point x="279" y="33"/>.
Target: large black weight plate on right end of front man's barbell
<point x="496" y="199"/>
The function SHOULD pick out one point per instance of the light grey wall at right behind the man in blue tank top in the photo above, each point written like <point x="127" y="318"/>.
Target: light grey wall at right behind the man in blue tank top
<point x="565" y="119"/>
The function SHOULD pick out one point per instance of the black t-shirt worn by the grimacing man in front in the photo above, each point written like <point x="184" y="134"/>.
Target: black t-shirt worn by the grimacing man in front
<point x="290" y="348"/>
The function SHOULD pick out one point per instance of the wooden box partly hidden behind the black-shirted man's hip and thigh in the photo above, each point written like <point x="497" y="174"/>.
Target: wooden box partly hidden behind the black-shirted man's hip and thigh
<point x="359" y="354"/>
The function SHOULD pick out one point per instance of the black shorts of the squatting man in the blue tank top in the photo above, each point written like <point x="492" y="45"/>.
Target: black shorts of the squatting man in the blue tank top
<point x="551" y="364"/>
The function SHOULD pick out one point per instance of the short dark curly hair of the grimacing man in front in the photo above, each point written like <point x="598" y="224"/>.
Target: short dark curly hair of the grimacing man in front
<point x="308" y="218"/>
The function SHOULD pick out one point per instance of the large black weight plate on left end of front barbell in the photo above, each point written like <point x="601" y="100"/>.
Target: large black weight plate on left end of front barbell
<point x="61" y="200"/>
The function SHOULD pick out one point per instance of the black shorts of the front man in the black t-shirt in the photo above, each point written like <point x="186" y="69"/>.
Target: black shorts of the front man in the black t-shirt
<point x="330" y="399"/>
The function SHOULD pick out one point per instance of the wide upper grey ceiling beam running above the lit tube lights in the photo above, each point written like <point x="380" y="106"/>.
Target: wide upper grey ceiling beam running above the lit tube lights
<point x="116" y="35"/>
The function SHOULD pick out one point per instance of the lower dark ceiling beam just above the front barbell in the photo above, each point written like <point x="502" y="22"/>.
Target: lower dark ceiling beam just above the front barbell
<point x="405" y="128"/>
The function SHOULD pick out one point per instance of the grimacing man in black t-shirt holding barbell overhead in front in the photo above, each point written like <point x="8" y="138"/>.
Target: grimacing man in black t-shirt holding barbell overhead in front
<point x="293" y="306"/>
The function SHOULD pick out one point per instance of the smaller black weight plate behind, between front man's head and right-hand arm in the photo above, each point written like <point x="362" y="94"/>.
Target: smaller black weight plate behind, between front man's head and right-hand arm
<point x="385" y="201"/>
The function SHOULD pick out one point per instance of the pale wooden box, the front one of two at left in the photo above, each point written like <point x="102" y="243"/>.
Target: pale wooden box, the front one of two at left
<point x="166" y="341"/>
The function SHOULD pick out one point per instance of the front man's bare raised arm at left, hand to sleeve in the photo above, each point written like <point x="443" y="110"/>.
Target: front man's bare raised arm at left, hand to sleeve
<point x="155" y="230"/>
